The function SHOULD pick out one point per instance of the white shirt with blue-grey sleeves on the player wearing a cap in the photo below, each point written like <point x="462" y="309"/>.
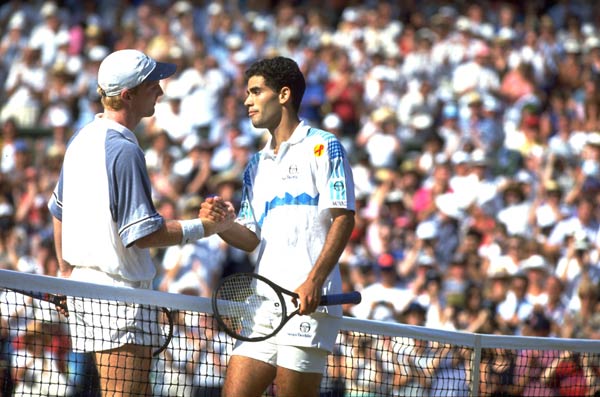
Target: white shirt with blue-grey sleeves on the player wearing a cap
<point x="103" y="198"/>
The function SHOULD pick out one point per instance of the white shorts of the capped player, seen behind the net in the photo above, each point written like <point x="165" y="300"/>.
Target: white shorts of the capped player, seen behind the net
<point x="98" y="324"/>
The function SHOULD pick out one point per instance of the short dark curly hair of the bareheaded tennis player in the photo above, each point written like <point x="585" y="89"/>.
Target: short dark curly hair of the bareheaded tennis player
<point x="280" y="72"/>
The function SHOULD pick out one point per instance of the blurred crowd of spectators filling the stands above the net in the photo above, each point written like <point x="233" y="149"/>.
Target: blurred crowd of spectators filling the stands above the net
<point x="473" y="131"/>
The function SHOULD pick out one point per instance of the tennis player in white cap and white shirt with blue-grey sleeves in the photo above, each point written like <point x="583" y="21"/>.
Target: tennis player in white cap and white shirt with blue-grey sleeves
<point x="105" y="222"/>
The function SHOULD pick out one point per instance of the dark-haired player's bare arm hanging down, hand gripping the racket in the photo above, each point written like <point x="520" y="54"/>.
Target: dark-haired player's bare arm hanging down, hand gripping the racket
<point x="311" y="289"/>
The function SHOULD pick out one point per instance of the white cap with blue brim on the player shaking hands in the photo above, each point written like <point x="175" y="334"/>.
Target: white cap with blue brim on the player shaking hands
<point x="129" y="68"/>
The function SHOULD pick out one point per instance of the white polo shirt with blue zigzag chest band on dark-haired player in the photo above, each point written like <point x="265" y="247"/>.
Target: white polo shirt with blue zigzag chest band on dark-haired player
<point x="286" y="201"/>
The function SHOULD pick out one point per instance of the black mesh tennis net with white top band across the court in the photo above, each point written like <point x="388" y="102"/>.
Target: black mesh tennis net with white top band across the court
<point x="39" y="357"/>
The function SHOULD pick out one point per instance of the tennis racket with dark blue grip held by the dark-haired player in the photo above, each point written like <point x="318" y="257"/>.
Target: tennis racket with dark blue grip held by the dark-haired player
<point x="252" y="308"/>
